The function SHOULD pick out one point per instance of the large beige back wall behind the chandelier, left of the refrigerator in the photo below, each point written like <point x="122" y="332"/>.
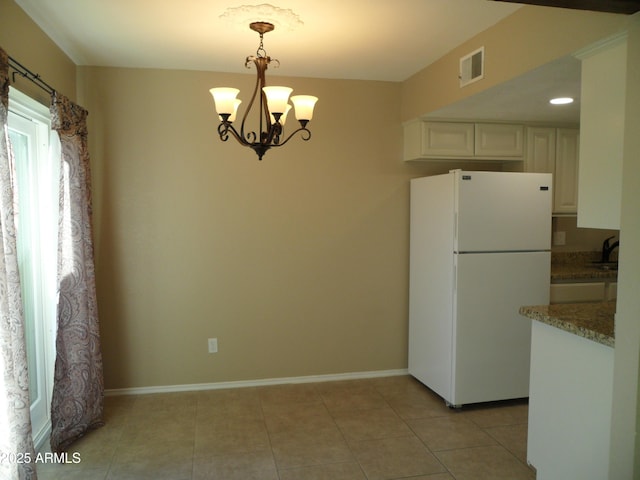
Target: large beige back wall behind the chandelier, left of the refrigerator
<point x="297" y="264"/>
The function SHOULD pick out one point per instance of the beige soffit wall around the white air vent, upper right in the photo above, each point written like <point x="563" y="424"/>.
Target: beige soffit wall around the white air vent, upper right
<point x="530" y="37"/>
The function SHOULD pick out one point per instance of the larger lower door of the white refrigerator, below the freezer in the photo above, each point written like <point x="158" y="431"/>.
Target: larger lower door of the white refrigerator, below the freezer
<point x="492" y="340"/>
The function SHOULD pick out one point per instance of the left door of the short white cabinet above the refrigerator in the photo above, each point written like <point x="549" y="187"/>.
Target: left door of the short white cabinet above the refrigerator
<point x="447" y="139"/>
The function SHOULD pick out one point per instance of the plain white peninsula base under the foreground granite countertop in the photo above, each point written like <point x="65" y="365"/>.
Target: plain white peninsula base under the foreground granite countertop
<point x="570" y="404"/>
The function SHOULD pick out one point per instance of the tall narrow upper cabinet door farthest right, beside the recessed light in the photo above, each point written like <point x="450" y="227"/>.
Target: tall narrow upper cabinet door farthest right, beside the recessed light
<point x="566" y="172"/>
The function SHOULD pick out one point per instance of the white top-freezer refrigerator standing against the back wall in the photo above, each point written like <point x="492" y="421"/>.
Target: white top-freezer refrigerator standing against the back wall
<point x="479" y="249"/>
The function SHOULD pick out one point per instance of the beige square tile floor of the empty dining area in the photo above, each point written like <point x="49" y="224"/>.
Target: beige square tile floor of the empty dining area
<point x="383" y="428"/>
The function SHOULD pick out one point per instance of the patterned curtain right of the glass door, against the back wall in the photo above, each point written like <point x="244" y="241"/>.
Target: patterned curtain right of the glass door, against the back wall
<point x="78" y="387"/>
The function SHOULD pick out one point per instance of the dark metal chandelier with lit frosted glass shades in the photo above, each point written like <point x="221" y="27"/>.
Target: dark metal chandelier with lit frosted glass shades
<point x="273" y="106"/>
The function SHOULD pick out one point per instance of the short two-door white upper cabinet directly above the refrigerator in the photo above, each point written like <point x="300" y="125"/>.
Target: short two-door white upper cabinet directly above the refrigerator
<point x="425" y="140"/>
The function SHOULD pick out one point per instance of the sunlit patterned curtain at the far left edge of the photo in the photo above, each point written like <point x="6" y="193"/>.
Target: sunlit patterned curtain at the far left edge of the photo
<point x="16" y="444"/>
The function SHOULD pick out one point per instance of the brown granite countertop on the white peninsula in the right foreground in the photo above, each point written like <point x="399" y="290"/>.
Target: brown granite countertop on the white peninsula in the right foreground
<point x="593" y="321"/>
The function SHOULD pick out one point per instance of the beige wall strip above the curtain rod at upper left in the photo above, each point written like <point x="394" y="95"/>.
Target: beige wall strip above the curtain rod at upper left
<point x="21" y="38"/>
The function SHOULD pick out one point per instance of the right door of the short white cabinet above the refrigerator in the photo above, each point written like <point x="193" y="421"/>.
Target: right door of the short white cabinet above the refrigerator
<point x="499" y="140"/>
